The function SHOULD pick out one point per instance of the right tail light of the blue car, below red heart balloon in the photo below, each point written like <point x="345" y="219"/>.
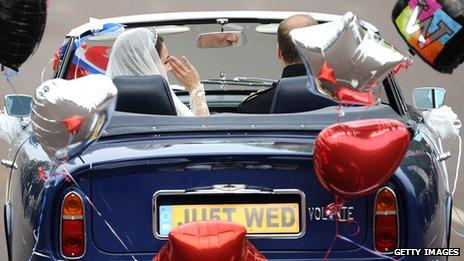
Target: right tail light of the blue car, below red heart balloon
<point x="386" y="231"/>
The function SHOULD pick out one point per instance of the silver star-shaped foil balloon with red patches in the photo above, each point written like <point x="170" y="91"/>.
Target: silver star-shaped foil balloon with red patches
<point x="345" y="56"/>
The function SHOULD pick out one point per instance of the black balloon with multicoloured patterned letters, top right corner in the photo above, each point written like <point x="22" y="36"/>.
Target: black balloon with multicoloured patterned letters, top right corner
<point x="434" y="30"/>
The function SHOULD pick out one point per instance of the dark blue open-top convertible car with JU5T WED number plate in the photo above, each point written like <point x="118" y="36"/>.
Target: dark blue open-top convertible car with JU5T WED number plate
<point x="152" y="171"/>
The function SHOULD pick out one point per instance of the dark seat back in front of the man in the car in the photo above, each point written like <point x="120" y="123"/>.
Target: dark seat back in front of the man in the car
<point x="293" y="95"/>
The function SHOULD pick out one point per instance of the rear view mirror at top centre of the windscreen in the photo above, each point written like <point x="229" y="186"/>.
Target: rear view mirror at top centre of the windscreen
<point x="221" y="39"/>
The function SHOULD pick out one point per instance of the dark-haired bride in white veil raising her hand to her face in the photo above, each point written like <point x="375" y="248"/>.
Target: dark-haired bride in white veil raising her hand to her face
<point x="135" y="53"/>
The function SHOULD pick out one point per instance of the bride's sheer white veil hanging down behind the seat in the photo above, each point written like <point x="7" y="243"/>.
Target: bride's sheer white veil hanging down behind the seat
<point x="134" y="54"/>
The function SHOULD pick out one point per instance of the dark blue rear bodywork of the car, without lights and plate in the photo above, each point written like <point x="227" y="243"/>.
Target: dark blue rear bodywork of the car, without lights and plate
<point x="124" y="169"/>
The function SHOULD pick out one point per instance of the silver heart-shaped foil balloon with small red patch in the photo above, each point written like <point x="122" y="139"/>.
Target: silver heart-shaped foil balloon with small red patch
<point x="69" y="115"/>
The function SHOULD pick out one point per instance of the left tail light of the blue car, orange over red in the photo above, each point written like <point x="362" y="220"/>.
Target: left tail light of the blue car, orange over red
<point x="72" y="226"/>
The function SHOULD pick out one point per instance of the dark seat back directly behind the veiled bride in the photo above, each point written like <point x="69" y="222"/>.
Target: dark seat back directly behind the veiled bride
<point x="144" y="94"/>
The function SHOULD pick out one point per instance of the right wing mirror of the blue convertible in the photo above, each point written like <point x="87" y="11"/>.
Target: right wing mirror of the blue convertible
<point x="425" y="98"/>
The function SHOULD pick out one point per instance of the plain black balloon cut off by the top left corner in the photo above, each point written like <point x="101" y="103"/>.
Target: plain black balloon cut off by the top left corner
<point x="22" y="24"/>
